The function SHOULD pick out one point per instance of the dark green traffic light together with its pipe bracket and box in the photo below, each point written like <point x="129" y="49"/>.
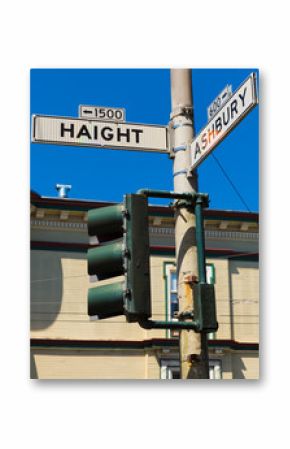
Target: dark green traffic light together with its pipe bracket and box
<point x="130" y="257"/>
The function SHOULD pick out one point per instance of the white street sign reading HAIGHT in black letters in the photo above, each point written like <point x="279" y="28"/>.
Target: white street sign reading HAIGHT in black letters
<point x="99" y="134"/>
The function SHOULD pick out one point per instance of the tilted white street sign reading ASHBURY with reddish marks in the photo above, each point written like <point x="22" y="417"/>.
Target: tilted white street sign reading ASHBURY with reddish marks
<point x="235" y="109"/>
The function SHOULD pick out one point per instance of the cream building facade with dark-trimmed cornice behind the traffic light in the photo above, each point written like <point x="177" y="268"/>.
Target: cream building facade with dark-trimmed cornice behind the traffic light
<point x="67" y="344"/>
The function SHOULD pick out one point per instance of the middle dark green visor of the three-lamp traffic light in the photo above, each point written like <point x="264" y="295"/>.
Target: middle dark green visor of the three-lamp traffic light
<point x="106" y="261"/>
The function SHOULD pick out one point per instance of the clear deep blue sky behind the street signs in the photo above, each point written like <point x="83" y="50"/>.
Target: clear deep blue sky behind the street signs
<point x="103" y="174"/>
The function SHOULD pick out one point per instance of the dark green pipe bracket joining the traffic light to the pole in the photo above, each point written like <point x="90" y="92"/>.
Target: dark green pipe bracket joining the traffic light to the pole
<point x="197" y="201"/>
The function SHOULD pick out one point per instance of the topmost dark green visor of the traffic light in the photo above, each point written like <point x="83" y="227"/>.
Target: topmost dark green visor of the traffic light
<point x="106" y="222"/>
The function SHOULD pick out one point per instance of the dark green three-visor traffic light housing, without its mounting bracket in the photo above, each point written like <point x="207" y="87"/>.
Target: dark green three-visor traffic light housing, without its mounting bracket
<point x="123" y="236"/>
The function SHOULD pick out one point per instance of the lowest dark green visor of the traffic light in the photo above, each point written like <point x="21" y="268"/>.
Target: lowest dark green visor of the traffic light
<point x="106" y="301"/>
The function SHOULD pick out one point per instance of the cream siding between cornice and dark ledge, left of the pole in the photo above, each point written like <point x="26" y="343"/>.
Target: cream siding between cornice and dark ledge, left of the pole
<point x="59" y="285"/>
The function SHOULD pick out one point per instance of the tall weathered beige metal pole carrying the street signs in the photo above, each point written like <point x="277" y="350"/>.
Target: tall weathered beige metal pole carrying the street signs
<point x="192" y="345"/>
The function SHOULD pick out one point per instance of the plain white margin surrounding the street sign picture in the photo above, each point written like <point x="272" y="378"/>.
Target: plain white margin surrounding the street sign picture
<point x="263" y="43"/>
